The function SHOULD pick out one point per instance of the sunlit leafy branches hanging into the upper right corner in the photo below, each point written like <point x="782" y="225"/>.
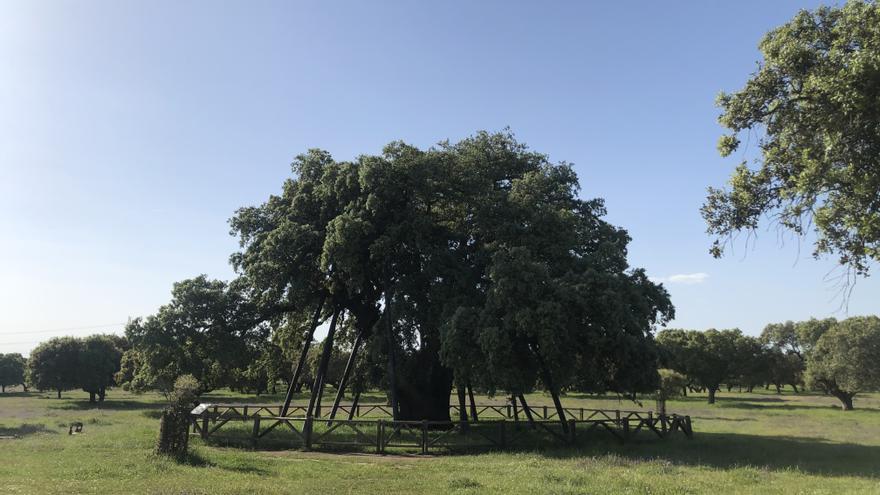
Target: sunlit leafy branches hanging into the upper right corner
<point x="813" y="102"/>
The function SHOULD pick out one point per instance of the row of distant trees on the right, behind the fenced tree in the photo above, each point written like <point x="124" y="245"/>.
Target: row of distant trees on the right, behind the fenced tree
<point x="839" y="358"/>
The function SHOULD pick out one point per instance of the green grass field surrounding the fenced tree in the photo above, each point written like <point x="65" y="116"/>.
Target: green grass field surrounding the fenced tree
<point x="746" y="443"/>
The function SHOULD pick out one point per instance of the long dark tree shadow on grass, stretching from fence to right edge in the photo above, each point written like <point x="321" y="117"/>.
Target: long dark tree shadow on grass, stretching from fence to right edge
<point x="730" y="450"/>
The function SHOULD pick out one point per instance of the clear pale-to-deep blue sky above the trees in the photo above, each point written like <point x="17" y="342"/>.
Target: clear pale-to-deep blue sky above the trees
<point x="130" y="132"/>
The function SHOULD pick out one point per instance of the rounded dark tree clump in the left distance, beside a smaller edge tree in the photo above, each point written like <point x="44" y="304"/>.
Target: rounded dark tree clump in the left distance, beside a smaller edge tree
<point x="66" y="363"/>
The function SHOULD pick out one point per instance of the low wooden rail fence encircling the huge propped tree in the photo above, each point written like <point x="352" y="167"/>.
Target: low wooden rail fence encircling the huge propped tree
<point x="368" y="427"/>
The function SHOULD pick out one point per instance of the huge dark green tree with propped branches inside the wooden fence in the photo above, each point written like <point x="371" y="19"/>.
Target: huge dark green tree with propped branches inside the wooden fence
<point x="473" y="261"/>
